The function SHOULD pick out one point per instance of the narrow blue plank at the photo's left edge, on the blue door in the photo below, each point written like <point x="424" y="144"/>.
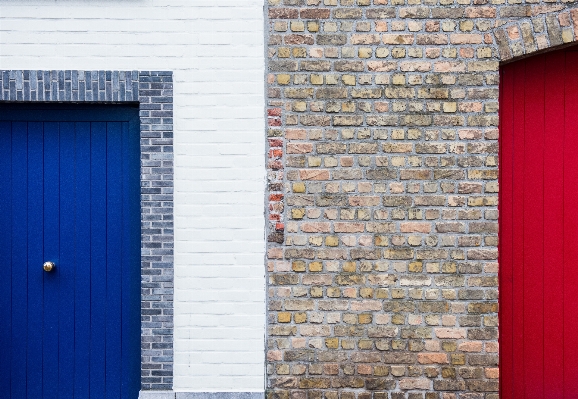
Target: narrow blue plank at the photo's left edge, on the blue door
<point x="6" y="253"/>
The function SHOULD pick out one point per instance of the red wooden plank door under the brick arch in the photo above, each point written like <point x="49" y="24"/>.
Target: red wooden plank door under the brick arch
<point x="539" y="227"/>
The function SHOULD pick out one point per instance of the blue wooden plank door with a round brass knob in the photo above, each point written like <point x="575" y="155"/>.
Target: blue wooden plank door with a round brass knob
<point x="70" y="199"/>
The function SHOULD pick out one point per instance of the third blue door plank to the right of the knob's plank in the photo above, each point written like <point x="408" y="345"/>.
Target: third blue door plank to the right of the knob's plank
<point x="97" y="259"/>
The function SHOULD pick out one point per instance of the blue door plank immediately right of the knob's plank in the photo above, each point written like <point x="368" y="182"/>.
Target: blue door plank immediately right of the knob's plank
<point x="66" y="262"/>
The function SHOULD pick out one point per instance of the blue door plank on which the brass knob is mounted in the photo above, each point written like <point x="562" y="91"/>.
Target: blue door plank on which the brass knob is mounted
<point x="51" y="252"/>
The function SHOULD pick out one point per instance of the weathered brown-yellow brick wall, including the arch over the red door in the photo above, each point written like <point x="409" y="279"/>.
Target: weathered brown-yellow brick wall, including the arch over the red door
<point x="383" y="167"/>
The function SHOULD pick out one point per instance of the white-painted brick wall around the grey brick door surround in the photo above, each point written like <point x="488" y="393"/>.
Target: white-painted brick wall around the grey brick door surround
<point x="216" y="50"/>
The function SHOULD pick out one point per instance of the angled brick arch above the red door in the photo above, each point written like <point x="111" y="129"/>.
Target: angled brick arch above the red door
<point x="539" y="28"/>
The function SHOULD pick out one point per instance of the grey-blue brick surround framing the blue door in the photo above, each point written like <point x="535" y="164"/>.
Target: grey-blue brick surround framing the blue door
<point x="153" y="92"/>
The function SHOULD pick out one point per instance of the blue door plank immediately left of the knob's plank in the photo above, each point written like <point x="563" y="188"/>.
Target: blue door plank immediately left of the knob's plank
<point x="35" y="256"/>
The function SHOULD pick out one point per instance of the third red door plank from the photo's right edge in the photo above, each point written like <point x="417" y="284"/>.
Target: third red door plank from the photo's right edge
<point x="534" y="228"/>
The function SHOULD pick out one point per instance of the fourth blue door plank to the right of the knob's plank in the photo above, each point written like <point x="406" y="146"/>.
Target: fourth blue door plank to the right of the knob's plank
<point x="114" y="180"/>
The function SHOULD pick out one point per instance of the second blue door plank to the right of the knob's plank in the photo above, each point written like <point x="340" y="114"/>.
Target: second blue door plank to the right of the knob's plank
<point x="82" y="308"/>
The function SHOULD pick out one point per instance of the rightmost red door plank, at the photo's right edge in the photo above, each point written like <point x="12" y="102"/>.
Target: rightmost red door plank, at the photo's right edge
<point x="570" y="300"/>
